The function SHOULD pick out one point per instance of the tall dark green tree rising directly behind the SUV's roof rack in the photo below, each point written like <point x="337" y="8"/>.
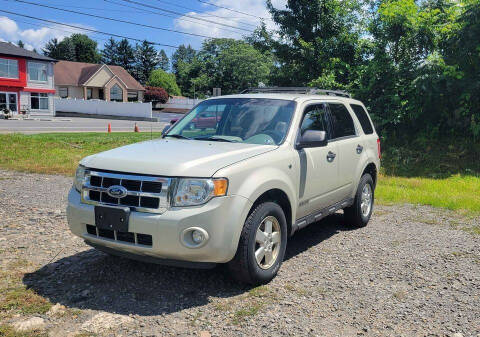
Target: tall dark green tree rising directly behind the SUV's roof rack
<point x="318" y="41"/>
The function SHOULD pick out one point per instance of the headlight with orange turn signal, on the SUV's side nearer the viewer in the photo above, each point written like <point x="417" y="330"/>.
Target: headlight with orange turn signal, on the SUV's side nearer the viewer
<point x="192" y="191"/>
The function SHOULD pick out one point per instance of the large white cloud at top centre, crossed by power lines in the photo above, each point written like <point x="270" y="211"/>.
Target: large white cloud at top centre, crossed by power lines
<point x="253" y="7"/>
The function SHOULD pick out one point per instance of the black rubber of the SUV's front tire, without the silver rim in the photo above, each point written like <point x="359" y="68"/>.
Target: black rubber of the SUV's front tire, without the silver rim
<point x="244" y="266"/>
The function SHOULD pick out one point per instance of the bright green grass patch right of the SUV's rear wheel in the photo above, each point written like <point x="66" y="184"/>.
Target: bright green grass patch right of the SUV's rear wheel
<point x="460" y="193"/>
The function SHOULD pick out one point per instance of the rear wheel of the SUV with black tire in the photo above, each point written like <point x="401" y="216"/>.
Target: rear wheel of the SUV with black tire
<point x="354" y="215"/>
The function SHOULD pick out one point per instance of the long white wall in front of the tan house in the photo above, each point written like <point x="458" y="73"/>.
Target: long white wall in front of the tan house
<point x="99" y="107"/>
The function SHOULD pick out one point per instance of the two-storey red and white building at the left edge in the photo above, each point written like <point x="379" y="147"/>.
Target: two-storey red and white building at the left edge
<point x="26" y="81"/>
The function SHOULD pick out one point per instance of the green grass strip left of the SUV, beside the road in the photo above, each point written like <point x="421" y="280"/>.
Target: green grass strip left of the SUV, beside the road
<point x="59" y="153"/>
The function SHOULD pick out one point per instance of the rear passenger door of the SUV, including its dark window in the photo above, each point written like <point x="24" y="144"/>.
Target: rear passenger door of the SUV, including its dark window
<point x="349" y="147"/>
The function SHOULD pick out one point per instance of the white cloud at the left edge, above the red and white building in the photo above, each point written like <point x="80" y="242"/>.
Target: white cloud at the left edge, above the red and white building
<point x="34" y="37"/>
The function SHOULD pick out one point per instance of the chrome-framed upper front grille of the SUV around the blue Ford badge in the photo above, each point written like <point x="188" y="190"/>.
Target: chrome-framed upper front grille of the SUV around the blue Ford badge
<point x="144" y="193"/>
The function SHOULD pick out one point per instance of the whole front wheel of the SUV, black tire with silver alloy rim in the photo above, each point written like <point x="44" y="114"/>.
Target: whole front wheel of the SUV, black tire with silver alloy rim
<point x="244" y="266"/>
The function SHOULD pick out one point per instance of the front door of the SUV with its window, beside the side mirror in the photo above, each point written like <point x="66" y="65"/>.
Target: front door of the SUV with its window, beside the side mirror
<point x="318" y="166"/>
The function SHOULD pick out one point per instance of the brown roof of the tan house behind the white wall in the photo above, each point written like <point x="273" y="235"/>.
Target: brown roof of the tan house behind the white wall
<point x="78" y="73"/>
